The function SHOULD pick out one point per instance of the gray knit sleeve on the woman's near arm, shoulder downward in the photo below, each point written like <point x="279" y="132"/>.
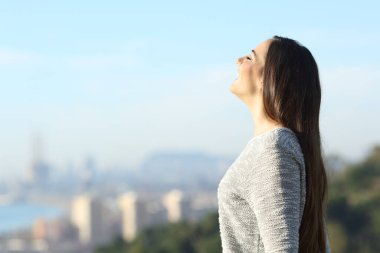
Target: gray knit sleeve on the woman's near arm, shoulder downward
<point x="272" y="188"/>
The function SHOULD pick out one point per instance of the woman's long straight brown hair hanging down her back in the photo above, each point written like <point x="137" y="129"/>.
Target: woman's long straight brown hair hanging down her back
<point x="292" y="96"/>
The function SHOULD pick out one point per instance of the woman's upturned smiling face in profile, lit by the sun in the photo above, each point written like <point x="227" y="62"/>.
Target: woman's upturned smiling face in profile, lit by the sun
<point x="248" y="84"/>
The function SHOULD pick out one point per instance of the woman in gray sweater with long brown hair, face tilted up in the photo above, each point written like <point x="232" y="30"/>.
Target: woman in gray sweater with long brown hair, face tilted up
<point x="272" y="198"/>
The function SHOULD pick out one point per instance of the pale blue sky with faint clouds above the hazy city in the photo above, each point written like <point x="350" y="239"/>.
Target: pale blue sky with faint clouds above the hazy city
<point x="117" y="80"/>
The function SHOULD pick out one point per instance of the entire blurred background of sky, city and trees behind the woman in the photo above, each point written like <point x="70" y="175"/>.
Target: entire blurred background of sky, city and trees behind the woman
<point x="117" y="122"/>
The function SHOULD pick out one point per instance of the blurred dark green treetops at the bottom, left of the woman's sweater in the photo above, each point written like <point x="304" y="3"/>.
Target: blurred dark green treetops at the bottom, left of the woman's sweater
<point x="181" y="237"/>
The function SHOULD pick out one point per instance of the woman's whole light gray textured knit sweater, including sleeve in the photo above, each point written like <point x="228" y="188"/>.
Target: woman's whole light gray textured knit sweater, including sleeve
<point x="262" y="195"/>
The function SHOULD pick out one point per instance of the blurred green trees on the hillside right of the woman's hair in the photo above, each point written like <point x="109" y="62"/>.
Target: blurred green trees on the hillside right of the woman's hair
<point x="353" y="213"/>
